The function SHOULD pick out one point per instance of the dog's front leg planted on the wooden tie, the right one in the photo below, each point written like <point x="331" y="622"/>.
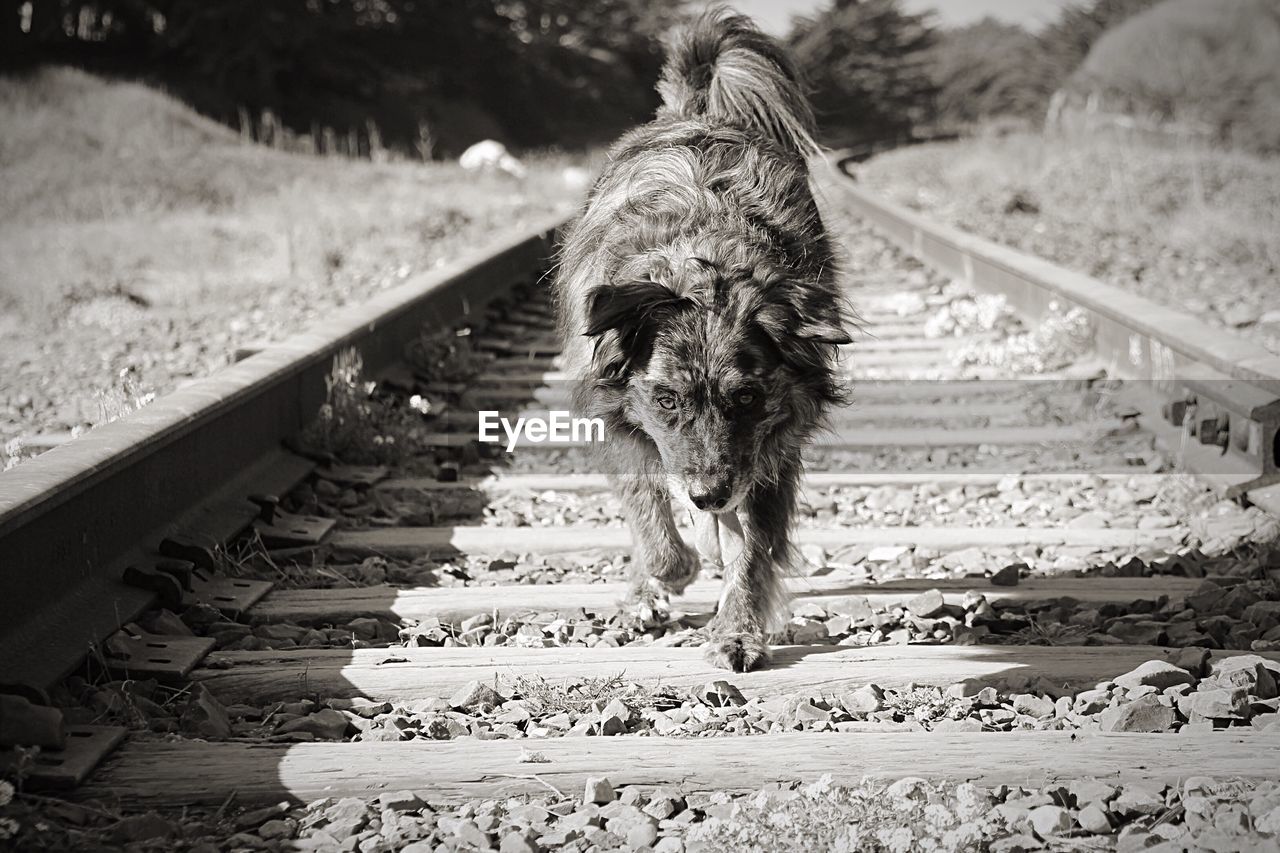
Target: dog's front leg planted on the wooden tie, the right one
<point x="755" y="597"/>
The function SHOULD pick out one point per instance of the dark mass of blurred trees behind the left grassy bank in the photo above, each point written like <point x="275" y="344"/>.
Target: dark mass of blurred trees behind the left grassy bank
<point x="363" y="75"/>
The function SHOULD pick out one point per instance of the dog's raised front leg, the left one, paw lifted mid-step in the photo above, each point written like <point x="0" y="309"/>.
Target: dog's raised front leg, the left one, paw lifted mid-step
<point x="662" y="564"/>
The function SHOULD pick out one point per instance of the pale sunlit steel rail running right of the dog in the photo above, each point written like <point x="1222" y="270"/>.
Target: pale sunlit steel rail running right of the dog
<point x="1227" y="387"/>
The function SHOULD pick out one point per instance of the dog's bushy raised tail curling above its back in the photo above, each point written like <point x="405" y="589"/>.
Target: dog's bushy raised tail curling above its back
<point x="724" y="69"/>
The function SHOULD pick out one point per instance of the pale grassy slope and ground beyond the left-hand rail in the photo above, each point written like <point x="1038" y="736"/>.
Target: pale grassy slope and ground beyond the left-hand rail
<point x="154" y="240"/>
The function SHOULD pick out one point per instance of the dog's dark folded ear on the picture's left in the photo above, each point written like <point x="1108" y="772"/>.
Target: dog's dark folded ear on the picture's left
<point x="634" y="311"/>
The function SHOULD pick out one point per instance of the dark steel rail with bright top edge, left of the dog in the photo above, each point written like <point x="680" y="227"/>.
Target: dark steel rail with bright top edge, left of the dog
<point x="72" y="519"/>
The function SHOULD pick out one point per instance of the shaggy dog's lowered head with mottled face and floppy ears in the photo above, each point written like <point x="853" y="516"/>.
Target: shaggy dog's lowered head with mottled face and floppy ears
<point x="720" y="367"/>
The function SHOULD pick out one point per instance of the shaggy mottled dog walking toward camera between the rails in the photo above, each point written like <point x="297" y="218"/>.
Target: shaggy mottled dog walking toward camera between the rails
<point x="702" y="317"/>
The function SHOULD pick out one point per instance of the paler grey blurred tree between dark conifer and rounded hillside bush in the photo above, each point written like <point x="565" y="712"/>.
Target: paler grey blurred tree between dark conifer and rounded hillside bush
<point x="981" y="72"/>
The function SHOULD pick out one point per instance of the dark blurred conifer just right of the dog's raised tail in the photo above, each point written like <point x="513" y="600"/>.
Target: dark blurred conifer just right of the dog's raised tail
<point x="868" y="66"/>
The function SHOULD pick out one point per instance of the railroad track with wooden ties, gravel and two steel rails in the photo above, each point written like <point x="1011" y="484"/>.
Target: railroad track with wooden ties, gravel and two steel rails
<point x="1041" y="600"/>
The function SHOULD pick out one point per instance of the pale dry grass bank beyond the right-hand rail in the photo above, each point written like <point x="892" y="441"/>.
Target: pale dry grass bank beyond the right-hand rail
<point x="1183" y="225"/>
